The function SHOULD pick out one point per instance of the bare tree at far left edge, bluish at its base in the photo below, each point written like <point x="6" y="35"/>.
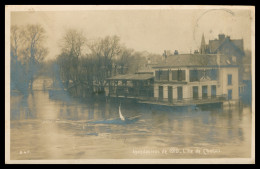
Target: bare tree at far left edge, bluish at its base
<point x="27" y="52"/>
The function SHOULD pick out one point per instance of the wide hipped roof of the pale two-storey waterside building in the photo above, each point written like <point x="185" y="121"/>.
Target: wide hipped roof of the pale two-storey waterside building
<point x="195" y="60"/>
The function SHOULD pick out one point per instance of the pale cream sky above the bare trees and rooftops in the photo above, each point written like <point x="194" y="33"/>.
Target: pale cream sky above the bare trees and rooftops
<point x="150" y="30"/>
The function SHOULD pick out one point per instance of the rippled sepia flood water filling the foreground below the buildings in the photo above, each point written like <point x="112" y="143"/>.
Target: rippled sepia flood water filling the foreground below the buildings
<point x="44" y="128"/>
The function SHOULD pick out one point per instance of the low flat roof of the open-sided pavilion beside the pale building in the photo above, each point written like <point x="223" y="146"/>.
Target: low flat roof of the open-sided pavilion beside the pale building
<point x="132" y="77"/>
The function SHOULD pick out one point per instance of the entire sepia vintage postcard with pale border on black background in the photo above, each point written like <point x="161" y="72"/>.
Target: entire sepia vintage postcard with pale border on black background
<point x="130" y="84"/>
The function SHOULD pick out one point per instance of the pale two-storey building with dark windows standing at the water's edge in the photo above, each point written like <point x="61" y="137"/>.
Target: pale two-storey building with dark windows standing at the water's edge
<point x="196" y="78"/>
